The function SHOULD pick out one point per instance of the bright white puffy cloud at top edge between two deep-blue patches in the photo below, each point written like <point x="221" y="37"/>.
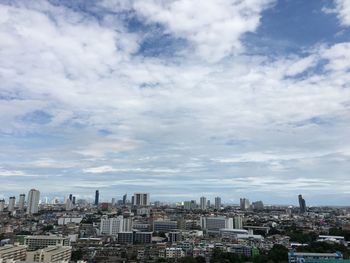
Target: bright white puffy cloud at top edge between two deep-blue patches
<point x="214" y="27"/>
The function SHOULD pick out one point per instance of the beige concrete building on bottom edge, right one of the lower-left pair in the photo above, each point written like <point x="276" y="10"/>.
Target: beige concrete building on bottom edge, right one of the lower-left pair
<point x="51" y="254"/>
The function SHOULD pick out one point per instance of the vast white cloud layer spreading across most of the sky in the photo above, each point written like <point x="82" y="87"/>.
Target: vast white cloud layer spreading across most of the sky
<point x="166" y="118"/>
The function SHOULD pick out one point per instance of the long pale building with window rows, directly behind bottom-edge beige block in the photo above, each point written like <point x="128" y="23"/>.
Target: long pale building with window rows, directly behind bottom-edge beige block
<point x="38" y="242"/>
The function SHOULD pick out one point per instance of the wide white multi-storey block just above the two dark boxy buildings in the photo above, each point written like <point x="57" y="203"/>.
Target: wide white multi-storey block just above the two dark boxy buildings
<point x="113" y="226"/>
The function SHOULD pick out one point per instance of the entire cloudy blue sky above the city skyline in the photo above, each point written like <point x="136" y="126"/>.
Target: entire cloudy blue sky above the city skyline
<point x="178" y="98"/>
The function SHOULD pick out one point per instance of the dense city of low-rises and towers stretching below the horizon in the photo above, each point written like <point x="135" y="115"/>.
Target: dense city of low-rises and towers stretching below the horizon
<point x="137" y="229"/>
